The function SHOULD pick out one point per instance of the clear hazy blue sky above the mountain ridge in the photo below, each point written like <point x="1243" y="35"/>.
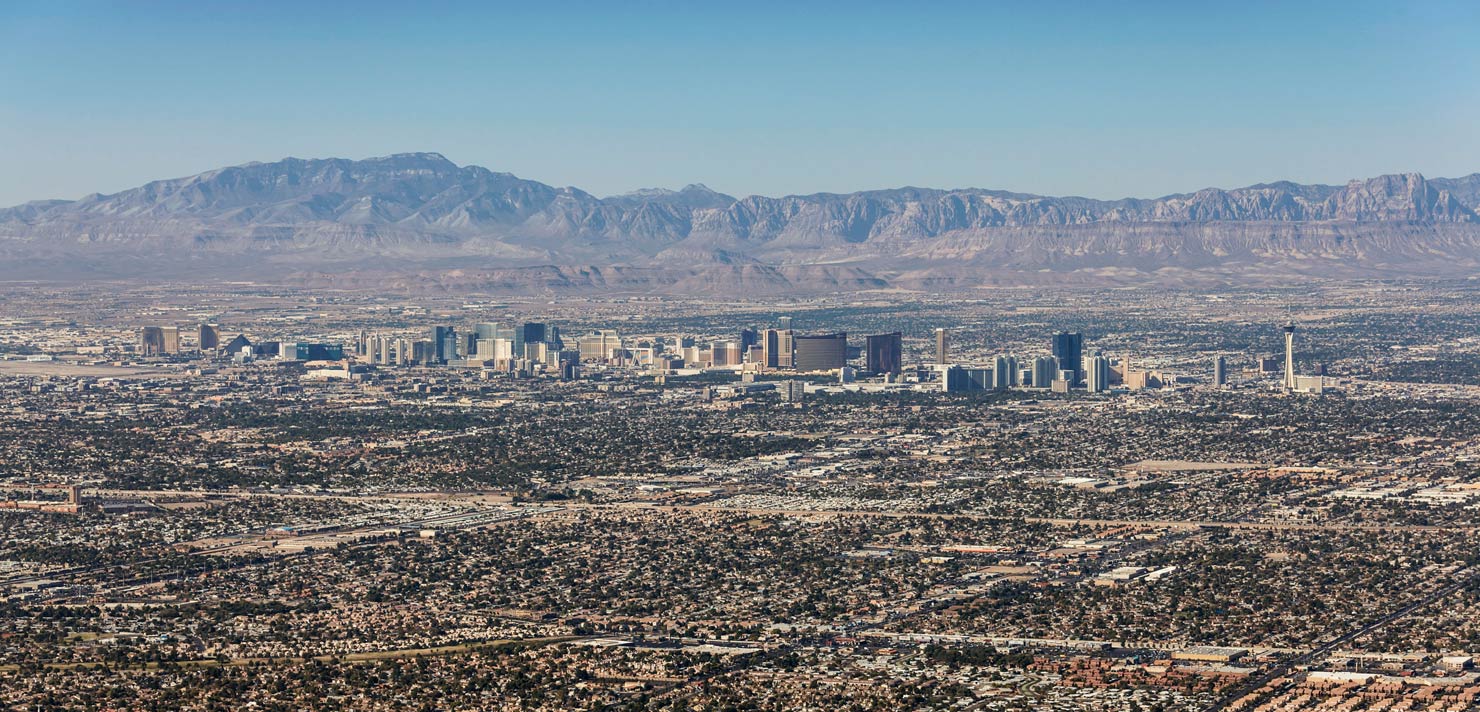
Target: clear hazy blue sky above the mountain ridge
<point x="1099" y="98"/>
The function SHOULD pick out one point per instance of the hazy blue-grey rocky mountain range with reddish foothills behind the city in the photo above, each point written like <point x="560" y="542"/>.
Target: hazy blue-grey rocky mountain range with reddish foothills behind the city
<point x="423" y="223"/>
